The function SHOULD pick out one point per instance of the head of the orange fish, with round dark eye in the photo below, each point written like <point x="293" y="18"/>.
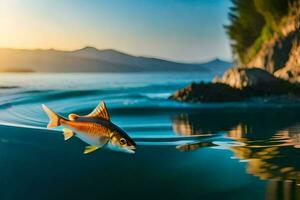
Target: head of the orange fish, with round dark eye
<point x="123" y="141"/>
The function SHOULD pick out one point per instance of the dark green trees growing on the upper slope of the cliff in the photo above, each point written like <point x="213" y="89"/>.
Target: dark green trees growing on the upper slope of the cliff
<point x="252" y="23"/>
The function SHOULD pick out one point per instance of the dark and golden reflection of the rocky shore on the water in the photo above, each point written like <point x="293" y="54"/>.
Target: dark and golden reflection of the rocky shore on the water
<point x="270" y="144"/>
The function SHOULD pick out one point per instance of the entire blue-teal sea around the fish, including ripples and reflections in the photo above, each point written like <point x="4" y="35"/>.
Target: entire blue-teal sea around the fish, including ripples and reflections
<point x="246" y="150"/>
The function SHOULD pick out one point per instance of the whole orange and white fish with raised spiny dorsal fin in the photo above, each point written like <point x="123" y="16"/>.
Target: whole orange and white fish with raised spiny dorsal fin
<point x="95" y="129"/>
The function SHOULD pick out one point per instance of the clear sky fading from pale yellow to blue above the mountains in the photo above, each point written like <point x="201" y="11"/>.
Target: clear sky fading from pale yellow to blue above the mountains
<point x="179" y="30"/>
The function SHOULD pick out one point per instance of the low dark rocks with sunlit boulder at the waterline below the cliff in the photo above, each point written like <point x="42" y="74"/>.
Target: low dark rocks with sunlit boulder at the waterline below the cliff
<point x="238" y="84"/>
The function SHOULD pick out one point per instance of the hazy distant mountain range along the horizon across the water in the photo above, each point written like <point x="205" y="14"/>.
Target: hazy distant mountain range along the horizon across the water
<point x="90" y="59"/>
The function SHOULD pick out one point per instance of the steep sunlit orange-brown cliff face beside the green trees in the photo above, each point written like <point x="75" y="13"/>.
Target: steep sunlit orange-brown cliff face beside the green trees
<point x="280" y="54"/>
